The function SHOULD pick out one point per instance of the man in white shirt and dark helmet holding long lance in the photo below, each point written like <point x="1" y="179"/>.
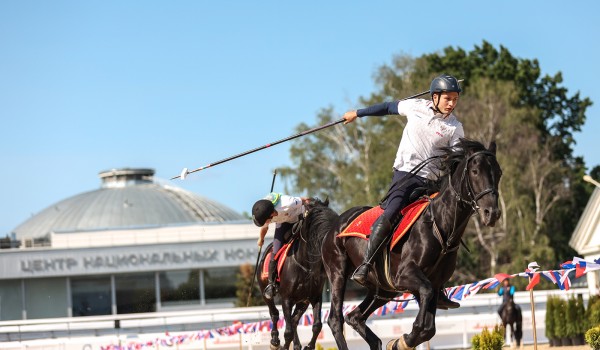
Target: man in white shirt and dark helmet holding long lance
<point x="430" y="125"/>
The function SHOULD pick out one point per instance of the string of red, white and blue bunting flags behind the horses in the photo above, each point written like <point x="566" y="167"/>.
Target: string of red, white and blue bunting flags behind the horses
<point x="558" y="277"/>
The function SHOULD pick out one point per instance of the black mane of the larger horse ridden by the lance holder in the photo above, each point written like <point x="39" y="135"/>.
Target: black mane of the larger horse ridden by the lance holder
<point x="451" y="157"/>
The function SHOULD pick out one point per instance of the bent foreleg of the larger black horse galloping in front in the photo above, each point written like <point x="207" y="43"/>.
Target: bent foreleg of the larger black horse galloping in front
<point x="413" y="280"/>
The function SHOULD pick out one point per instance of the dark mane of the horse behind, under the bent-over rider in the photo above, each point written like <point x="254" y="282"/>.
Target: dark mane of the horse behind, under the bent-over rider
<point x="319" y="221"/>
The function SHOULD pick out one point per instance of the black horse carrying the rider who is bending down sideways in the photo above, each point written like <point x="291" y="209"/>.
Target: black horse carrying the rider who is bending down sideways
<point x="302" y="276"/>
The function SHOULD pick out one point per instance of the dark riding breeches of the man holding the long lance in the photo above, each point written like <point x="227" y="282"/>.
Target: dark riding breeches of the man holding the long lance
<point x="398" y="196"/>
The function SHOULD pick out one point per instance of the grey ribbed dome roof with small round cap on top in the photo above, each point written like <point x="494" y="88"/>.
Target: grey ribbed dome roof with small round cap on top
<point x="127" y="198"/>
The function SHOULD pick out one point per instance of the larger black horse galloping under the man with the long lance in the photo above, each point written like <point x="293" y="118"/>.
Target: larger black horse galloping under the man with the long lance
<point x="425" y="258"/>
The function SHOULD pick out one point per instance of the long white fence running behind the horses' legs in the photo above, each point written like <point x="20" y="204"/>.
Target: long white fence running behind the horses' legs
<point x="455" y="328"/>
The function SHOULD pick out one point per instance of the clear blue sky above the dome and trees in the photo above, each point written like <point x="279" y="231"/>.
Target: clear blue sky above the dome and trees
<point x="87" y="86"/>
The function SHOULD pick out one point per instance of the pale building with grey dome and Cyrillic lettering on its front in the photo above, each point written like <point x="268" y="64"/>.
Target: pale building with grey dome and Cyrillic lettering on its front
<point x="132" y="245"/>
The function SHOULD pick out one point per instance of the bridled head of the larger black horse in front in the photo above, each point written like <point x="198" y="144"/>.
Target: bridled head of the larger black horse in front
<point x="476" y="175"/>
